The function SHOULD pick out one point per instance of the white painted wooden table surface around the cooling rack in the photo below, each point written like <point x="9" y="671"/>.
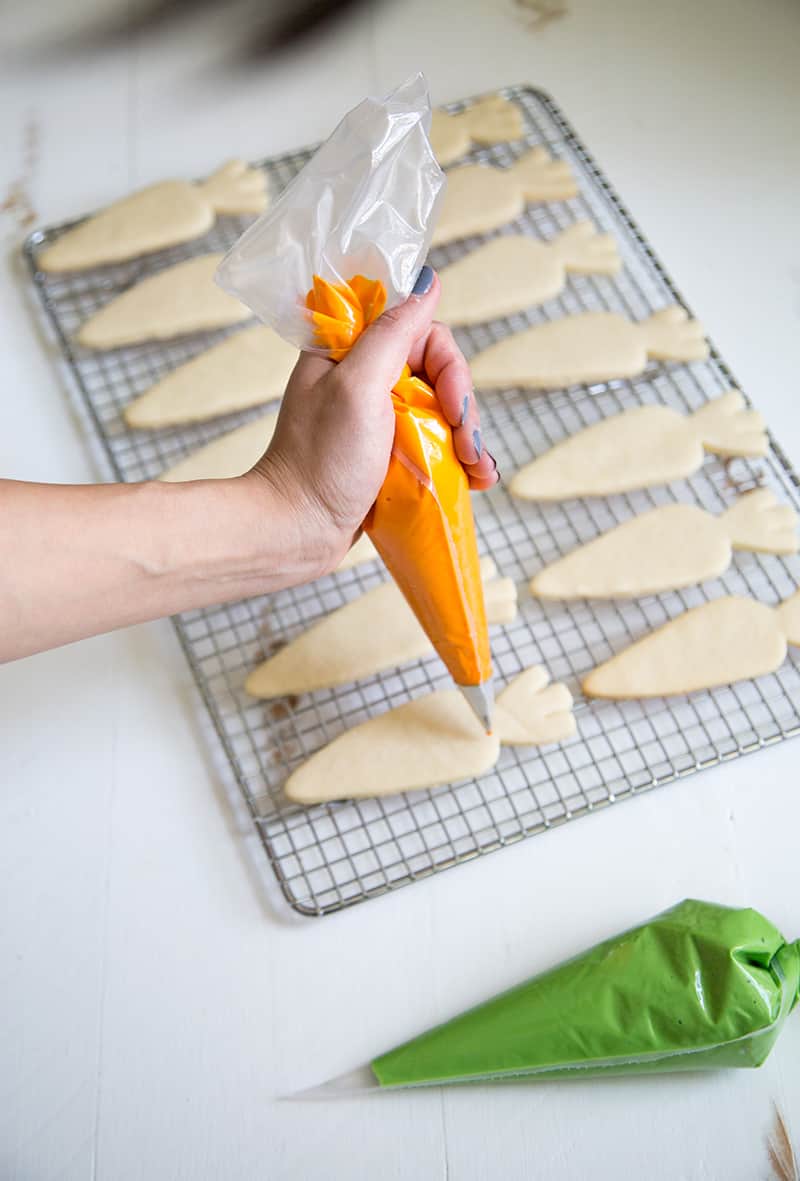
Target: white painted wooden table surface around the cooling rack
<point x="154" y="1004"/>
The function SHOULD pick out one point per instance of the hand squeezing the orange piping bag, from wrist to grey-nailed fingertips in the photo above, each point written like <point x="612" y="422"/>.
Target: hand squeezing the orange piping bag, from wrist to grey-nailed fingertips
<point x="330" y="453"/>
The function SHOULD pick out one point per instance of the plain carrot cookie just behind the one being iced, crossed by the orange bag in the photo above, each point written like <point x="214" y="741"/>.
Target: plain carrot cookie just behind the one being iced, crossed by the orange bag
<point x="374" y="632"/>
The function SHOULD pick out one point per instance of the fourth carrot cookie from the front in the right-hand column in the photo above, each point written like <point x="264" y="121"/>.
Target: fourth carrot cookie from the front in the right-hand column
<point x="591" y="347"/>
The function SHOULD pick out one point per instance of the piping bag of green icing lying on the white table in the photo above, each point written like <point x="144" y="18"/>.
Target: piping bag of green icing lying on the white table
<point x="699" y="988"/>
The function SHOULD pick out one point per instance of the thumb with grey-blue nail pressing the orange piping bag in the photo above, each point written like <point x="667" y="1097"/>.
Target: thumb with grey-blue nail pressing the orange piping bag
<point x="378" y="358"/>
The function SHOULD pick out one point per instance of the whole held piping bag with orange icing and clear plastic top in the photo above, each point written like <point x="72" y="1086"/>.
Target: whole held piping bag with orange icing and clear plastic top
<point x="344" y="242"/>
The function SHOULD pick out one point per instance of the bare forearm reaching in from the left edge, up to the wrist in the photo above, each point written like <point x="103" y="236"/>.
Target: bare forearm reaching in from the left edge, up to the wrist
<point x="76" y="562"/>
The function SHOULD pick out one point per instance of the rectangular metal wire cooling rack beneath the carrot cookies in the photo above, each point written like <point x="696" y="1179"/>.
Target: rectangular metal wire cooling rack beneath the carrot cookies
<point x="331" y="857"/>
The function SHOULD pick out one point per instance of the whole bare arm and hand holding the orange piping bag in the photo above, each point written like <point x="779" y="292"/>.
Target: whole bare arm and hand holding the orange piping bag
<point x="81" y="560"/>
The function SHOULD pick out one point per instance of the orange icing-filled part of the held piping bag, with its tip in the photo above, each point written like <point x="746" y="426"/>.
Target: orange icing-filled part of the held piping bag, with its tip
<point x="422" y="520"/>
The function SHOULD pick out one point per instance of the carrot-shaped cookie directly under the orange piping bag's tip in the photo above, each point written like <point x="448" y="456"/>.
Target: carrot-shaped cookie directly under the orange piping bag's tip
<point x="432" y="741"/>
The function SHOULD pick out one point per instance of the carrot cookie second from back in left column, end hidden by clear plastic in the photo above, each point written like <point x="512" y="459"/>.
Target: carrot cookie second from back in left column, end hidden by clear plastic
<point x="174" y="303"/>
